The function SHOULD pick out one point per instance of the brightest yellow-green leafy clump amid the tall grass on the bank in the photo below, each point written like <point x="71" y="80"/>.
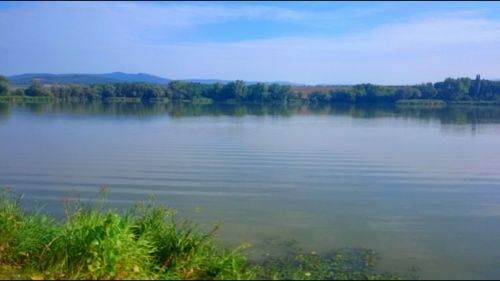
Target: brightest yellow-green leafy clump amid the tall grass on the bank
<point x="100" y="244"/>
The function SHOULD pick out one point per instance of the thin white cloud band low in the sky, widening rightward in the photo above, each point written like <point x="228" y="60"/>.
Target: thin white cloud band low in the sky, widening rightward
<point x="429" y="49"/>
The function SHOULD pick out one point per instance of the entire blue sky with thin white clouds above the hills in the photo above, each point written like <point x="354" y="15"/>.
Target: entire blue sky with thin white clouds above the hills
<point x="305" y="42"/>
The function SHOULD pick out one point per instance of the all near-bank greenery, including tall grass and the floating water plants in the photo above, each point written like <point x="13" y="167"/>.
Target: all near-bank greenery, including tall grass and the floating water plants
<point x="147" y="242"/>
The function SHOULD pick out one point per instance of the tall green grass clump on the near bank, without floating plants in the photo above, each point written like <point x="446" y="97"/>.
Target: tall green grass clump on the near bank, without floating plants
<point x="146" y="242"/>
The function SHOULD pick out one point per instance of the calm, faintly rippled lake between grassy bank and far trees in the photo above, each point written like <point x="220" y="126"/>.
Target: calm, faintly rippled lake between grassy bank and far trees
<point x="421" y="186"/>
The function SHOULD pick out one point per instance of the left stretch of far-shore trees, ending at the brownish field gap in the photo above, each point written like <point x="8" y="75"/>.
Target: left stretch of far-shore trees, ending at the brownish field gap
<point x="176" y="91"/>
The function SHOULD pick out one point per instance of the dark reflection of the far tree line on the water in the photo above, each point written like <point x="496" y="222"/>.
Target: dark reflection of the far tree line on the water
<point x="456" y="114"/>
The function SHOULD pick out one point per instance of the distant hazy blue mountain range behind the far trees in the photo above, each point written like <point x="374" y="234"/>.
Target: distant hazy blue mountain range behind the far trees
<point x="114" y="77"/>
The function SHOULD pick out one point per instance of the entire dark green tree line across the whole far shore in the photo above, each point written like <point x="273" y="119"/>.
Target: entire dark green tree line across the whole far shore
<point x="461" y="89"/>
